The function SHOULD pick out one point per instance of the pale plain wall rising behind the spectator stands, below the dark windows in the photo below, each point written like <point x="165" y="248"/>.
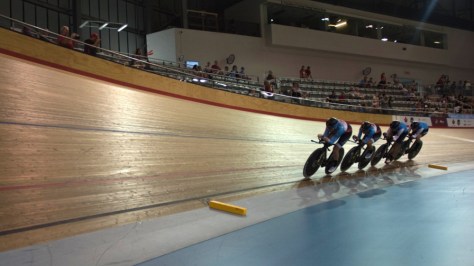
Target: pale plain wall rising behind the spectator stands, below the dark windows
<point x="331" y="56"/>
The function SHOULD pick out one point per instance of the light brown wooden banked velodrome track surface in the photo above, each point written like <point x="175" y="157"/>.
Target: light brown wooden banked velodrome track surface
<point x="79" y="155"/>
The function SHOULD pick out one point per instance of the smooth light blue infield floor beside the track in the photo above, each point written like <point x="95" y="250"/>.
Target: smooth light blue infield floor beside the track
<point x="424" y="222"/>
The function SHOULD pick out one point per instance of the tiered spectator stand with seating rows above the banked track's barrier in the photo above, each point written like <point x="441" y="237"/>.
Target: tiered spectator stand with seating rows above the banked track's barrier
<point x="314" y="92"/>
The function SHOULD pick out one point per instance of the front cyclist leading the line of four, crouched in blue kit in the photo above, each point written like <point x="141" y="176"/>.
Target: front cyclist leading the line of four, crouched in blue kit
<point x="337" y="132"/>
